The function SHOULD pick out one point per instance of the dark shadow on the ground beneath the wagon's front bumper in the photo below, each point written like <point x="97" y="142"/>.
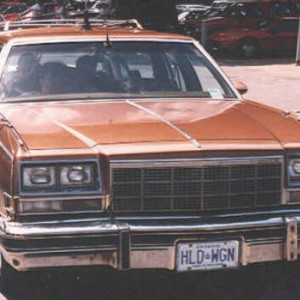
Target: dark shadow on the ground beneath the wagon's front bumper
<point x="273" y="282"/>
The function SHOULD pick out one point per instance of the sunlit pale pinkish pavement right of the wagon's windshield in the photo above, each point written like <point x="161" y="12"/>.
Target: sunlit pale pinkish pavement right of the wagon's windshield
<point x="273" y="81"/>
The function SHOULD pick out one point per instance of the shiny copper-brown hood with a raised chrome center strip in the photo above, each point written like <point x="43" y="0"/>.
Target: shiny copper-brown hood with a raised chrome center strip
<point x="113" y="124"/>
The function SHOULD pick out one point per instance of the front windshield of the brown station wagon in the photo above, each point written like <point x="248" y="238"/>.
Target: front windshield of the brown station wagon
<point x="111" y="69"/>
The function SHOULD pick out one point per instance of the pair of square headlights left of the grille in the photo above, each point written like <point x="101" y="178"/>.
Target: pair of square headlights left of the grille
<point x="60" y="177"/>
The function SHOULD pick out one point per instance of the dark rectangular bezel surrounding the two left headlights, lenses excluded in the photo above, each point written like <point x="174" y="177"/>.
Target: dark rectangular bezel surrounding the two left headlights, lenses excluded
<point x="58" y="188"/>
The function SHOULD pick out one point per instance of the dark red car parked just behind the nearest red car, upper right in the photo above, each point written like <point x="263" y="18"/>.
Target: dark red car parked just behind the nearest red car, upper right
<point x="231" y="14"/>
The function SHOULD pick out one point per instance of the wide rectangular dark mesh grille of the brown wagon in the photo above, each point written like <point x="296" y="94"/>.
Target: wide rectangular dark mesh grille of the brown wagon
<point x="199" y="185"/>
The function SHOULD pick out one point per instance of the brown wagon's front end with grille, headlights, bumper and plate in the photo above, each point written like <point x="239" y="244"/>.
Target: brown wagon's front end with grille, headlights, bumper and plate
<point x="187" y="213"/>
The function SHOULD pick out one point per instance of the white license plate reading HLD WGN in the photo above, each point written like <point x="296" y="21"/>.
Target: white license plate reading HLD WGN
<point x="207" y="255"/>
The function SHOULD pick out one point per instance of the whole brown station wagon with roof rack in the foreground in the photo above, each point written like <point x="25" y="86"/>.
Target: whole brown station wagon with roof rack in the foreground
<point x="129" y="148"/>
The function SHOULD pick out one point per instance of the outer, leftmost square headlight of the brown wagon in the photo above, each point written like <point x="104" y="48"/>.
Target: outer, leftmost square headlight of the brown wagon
<point x="40" y="176"/>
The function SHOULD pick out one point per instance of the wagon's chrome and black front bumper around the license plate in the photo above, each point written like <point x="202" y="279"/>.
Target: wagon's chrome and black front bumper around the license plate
<point x="145" y="244"/>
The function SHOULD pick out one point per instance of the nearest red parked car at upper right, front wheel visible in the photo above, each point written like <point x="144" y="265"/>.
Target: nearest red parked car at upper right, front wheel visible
<point x="280" y="34"/>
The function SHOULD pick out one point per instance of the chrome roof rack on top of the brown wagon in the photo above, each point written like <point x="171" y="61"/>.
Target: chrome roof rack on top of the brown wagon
<point x="6" y="26"/>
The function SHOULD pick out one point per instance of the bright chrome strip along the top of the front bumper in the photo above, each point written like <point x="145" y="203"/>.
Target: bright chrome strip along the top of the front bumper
<point x="21" y="231"/>
